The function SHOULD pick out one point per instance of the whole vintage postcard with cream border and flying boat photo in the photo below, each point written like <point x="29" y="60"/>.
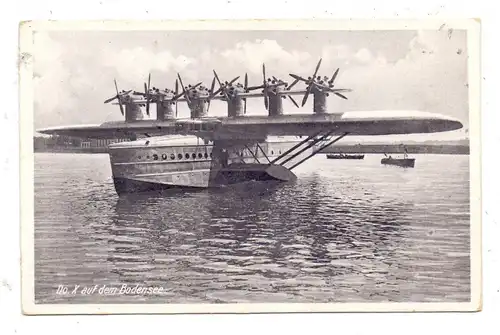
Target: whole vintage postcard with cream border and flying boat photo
<point x="250" y="166"/>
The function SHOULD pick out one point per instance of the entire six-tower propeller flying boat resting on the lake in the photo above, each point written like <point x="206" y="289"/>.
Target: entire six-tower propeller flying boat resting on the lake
<point x="204" y="152"/>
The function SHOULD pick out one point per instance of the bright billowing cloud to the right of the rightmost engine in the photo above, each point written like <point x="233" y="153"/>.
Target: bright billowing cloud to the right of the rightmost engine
<point x="431" y="77"/>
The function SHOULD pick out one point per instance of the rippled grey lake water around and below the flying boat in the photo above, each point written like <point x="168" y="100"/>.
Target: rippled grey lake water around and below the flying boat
<point x="345" y="231"/>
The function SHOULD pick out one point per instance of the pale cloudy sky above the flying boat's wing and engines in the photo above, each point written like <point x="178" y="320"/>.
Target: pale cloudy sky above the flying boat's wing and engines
<point x="415" y="70"/>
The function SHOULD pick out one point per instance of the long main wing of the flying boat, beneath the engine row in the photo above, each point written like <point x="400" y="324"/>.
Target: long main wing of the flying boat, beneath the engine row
<point x="362" y="123"/>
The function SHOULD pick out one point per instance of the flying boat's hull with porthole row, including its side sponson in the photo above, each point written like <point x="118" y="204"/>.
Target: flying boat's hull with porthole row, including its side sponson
<point x="139" y="168"/>
